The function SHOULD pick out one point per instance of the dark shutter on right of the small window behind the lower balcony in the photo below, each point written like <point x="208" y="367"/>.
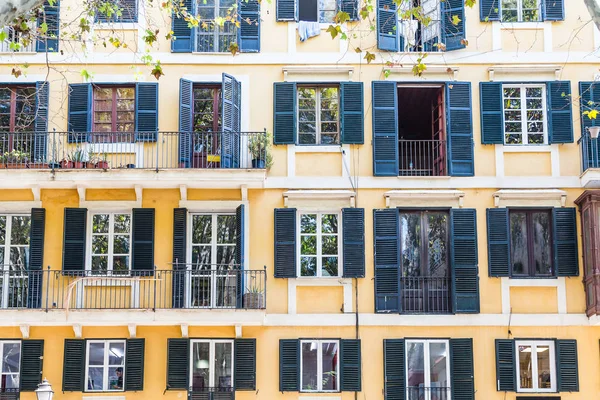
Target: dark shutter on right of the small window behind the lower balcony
<point x="142" y="242"/>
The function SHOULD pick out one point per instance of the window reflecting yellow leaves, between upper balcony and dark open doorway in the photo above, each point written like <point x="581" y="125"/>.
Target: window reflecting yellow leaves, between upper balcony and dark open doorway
<point x="318" y="115"/>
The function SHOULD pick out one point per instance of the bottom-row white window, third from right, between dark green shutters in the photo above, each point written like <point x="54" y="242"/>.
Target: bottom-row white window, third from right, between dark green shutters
<point x="319" y="366"/>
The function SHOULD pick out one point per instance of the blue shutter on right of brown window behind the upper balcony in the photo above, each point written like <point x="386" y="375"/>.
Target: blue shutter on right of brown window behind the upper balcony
<point x="146" y="112"/>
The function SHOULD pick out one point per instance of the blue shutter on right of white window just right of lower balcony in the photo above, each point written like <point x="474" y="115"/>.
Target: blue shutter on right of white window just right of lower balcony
<point x="353" y="231"/>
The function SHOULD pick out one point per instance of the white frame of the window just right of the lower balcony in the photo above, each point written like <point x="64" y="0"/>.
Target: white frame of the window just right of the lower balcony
<point x="318" y="235"/>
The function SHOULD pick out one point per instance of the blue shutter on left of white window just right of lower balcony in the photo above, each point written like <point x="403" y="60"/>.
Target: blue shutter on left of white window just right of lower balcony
<point x="285" y="243"/>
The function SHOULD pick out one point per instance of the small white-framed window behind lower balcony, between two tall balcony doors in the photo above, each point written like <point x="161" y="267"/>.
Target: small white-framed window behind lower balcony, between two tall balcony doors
<point x="111" y="243"/>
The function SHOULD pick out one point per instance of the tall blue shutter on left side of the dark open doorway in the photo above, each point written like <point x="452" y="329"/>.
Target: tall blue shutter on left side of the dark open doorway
<point x="385" y="129"/>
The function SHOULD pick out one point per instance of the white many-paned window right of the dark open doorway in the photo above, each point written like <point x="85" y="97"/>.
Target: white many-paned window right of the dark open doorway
<point x="525" y="121"/>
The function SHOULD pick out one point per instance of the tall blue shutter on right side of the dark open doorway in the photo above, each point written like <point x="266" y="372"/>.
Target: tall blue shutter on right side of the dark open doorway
<point x="460" y="129"/>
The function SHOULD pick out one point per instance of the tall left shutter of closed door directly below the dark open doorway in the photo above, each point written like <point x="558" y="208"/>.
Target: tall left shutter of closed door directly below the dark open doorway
<point x="387" y="260"/>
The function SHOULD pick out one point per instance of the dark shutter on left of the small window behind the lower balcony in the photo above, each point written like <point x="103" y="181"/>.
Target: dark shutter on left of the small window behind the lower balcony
<point x="74" y="239"/>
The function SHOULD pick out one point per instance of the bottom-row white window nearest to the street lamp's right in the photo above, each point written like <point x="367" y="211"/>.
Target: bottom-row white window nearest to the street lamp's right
<point x="105" y="365"/>
